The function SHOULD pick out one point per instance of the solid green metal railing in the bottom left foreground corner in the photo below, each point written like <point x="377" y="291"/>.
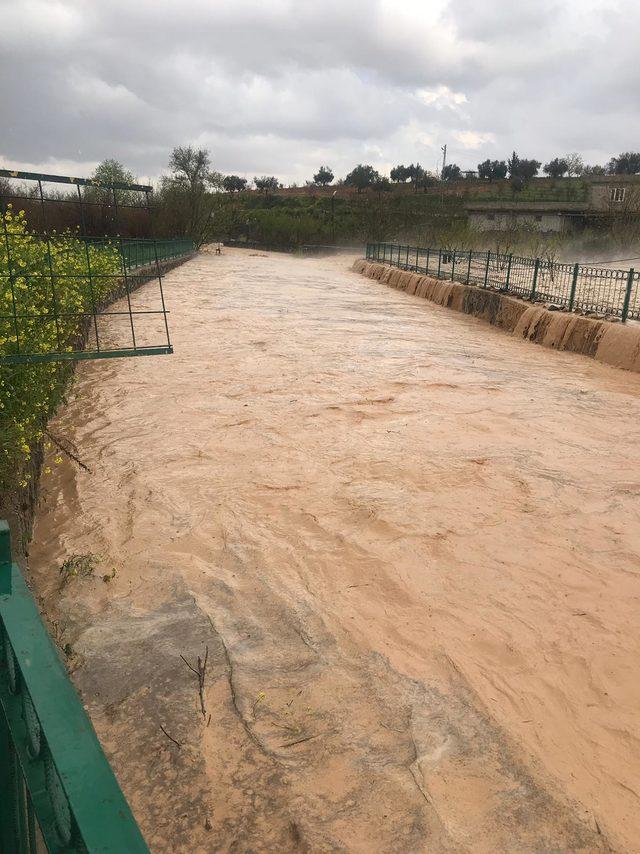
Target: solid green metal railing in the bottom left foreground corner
<point x="57" y="790"/>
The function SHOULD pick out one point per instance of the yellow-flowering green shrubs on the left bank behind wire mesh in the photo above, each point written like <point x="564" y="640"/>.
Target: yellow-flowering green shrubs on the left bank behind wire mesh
<point x="29" y="393"/>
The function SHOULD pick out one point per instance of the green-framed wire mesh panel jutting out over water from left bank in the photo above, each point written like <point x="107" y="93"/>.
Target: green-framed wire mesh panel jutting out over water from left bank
<point x="68" y="273"/>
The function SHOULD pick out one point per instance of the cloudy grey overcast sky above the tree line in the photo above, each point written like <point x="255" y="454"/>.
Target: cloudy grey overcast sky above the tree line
<point x="281" y="86"/>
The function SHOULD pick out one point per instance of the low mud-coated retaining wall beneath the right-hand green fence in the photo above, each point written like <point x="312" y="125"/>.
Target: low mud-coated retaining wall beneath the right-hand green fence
<point x="611" y="343"/>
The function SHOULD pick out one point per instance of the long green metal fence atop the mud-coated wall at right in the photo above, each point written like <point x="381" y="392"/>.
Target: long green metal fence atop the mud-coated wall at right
<point x="574" y="287"/>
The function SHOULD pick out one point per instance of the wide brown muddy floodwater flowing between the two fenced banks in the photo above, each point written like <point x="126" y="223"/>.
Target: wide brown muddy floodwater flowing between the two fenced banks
<point x="410" y="544"/>
